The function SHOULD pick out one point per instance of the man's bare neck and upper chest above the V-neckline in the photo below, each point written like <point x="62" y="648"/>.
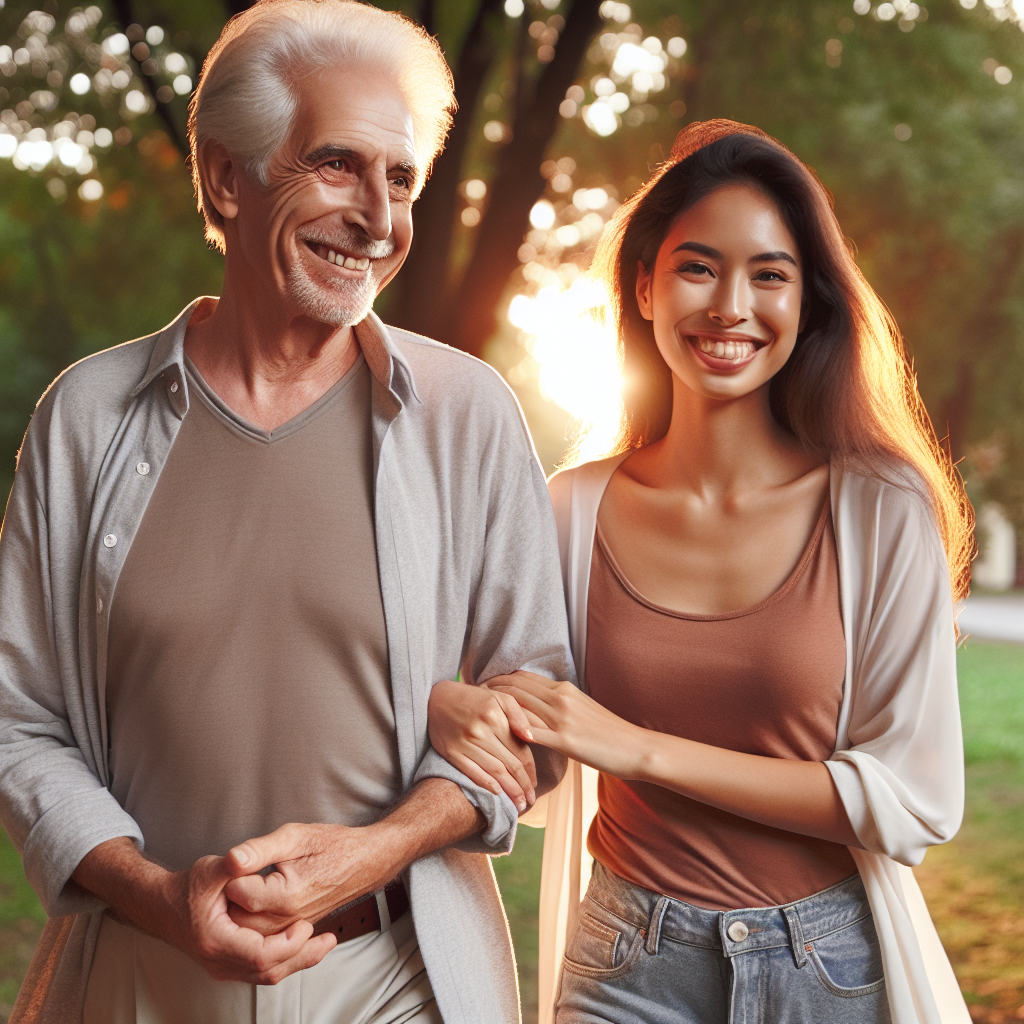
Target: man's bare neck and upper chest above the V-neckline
<point x="267" y="368"/>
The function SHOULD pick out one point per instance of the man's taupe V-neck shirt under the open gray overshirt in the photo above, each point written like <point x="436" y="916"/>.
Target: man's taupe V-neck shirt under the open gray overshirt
<point x="248" y="677"/>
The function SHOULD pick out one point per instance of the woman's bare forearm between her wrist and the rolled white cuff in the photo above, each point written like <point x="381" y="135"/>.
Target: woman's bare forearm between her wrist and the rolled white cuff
<point x="797" y="796"/>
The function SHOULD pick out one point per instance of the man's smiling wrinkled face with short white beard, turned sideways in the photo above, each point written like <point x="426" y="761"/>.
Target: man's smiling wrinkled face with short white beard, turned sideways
<point x="334" y="224"/>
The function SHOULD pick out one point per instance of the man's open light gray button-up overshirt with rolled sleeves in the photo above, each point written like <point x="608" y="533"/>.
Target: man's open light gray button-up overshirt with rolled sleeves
<point x="470" y="576"/>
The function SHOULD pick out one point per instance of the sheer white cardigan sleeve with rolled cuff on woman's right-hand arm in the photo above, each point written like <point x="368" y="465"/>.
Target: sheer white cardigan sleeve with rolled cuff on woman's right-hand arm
<point x="900" y="772"/>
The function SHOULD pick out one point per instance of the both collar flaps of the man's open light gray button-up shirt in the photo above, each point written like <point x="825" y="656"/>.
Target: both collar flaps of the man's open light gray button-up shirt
<point x="383" y="357"/>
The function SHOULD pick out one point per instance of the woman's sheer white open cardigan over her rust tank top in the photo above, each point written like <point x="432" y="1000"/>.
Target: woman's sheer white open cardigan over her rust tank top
<point x="899" y="763"/>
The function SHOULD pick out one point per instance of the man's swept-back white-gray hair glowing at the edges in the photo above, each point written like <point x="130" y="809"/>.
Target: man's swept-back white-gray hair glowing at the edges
<point x="246" y="98"/>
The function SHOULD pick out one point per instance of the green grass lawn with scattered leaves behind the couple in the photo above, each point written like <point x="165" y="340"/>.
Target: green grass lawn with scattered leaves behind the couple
<point x="974" y="885"/>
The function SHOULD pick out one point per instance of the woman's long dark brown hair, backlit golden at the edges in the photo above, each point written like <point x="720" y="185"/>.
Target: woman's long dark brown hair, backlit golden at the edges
<point x="848" y="392"/>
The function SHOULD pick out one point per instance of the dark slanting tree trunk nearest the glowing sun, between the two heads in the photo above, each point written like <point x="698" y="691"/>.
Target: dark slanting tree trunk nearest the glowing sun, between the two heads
<point x="518" y="185"/>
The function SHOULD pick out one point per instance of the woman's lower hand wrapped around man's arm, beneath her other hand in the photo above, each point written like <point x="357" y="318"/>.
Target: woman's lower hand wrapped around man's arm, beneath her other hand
<point x="486" y="735"/>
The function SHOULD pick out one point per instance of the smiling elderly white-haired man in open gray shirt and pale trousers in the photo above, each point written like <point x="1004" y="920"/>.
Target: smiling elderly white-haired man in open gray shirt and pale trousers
<point x="238" y="556"/>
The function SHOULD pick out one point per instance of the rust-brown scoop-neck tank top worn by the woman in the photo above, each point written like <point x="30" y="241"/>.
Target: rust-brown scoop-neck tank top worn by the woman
<point x="767" y="680"/>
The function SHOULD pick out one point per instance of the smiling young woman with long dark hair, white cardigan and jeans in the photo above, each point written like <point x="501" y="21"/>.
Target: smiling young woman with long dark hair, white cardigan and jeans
<point x="761" y="589"/>
